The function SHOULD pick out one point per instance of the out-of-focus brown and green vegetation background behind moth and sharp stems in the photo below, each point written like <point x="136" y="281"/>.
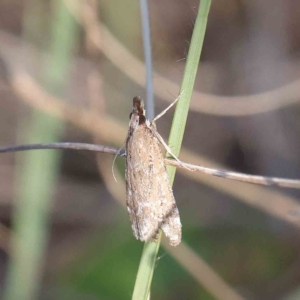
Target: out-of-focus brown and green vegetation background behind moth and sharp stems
<point x="68" y="72"/>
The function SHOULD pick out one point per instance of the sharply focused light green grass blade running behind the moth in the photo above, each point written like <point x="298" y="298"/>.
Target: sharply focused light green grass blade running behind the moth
<point x="150" y="250"/>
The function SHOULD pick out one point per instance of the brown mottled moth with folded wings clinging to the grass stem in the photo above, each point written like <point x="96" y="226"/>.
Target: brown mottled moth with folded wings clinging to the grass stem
<point x="150" y="200"/>
